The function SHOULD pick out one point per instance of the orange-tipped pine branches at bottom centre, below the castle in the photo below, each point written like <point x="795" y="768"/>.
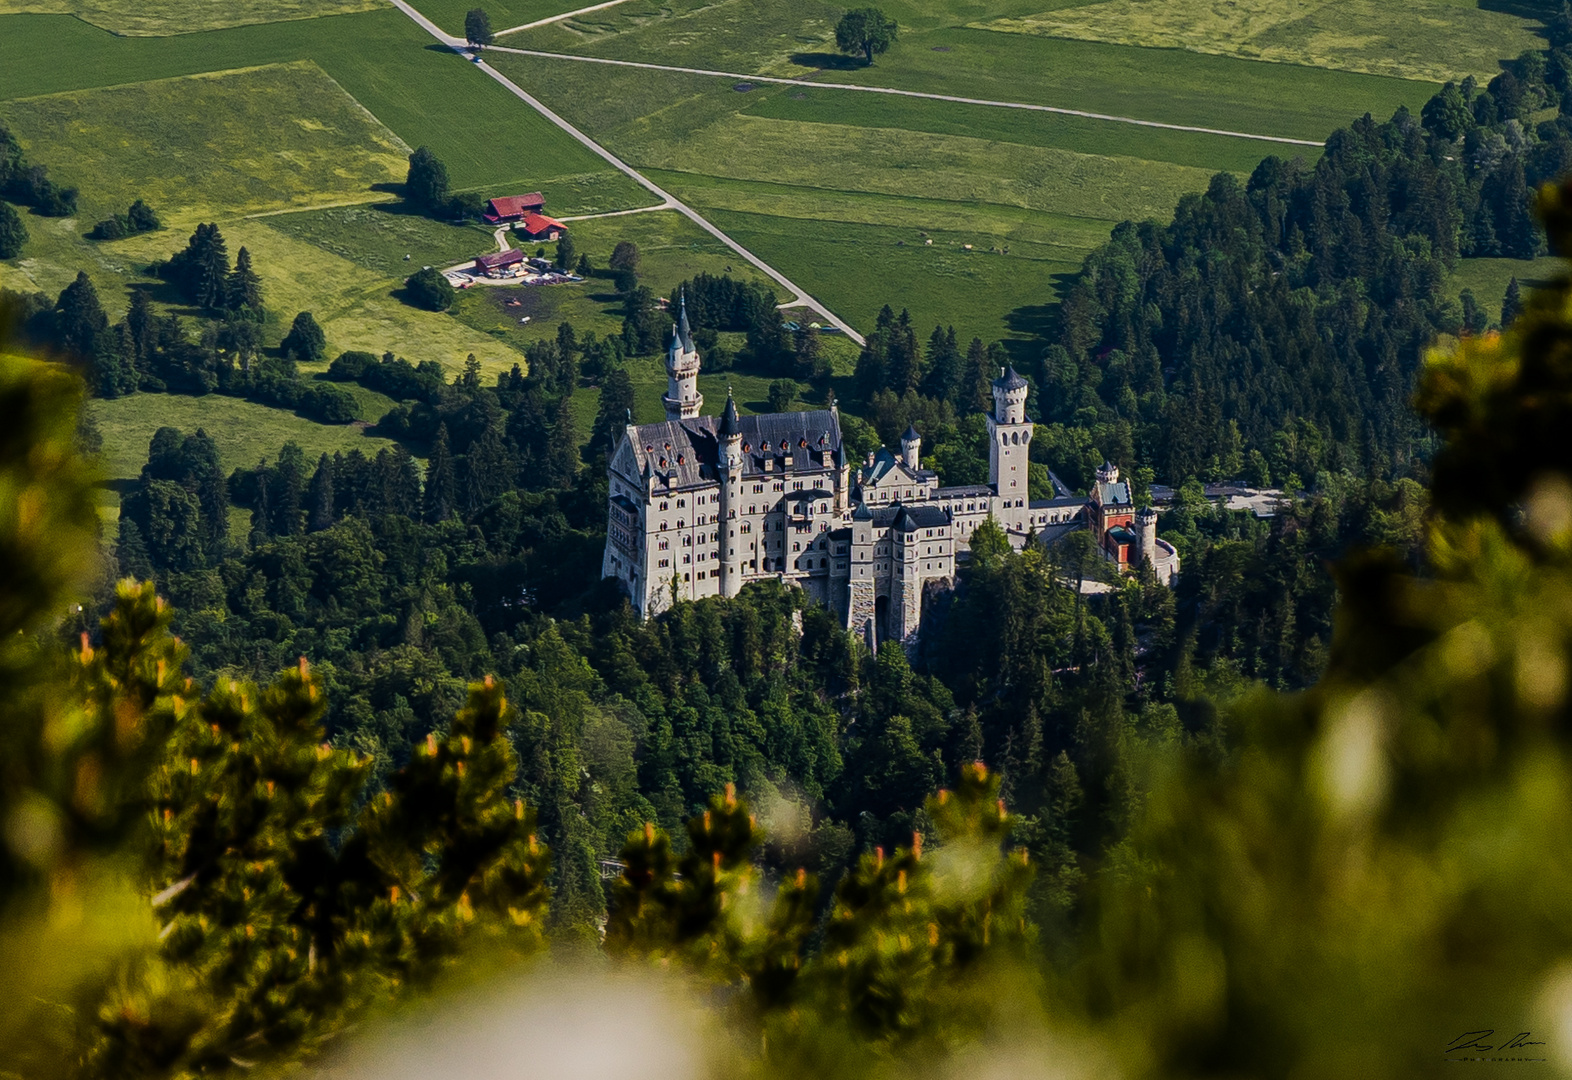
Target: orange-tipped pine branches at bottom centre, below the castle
<point x="902" y="946"/>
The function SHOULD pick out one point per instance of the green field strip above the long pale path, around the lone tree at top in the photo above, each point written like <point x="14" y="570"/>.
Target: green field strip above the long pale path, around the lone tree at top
<point x="1169" y="86"/>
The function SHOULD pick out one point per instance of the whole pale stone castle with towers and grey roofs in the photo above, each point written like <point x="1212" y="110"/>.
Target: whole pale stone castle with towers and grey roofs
<point x="703" y="505"/>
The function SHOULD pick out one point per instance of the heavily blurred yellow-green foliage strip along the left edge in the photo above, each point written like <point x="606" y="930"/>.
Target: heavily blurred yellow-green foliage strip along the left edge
<point x="76" y="737"/>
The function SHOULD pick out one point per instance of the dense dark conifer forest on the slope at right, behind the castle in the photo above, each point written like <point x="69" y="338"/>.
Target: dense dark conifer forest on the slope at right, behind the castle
<point x="1307" y="296"/>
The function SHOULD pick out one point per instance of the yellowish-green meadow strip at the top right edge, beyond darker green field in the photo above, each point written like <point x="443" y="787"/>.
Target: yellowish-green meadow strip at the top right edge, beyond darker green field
<point x="1430" y="40"/>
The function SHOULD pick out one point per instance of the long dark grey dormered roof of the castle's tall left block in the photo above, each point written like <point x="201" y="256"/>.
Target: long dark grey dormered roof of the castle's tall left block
<point x="688" y="450"/>
